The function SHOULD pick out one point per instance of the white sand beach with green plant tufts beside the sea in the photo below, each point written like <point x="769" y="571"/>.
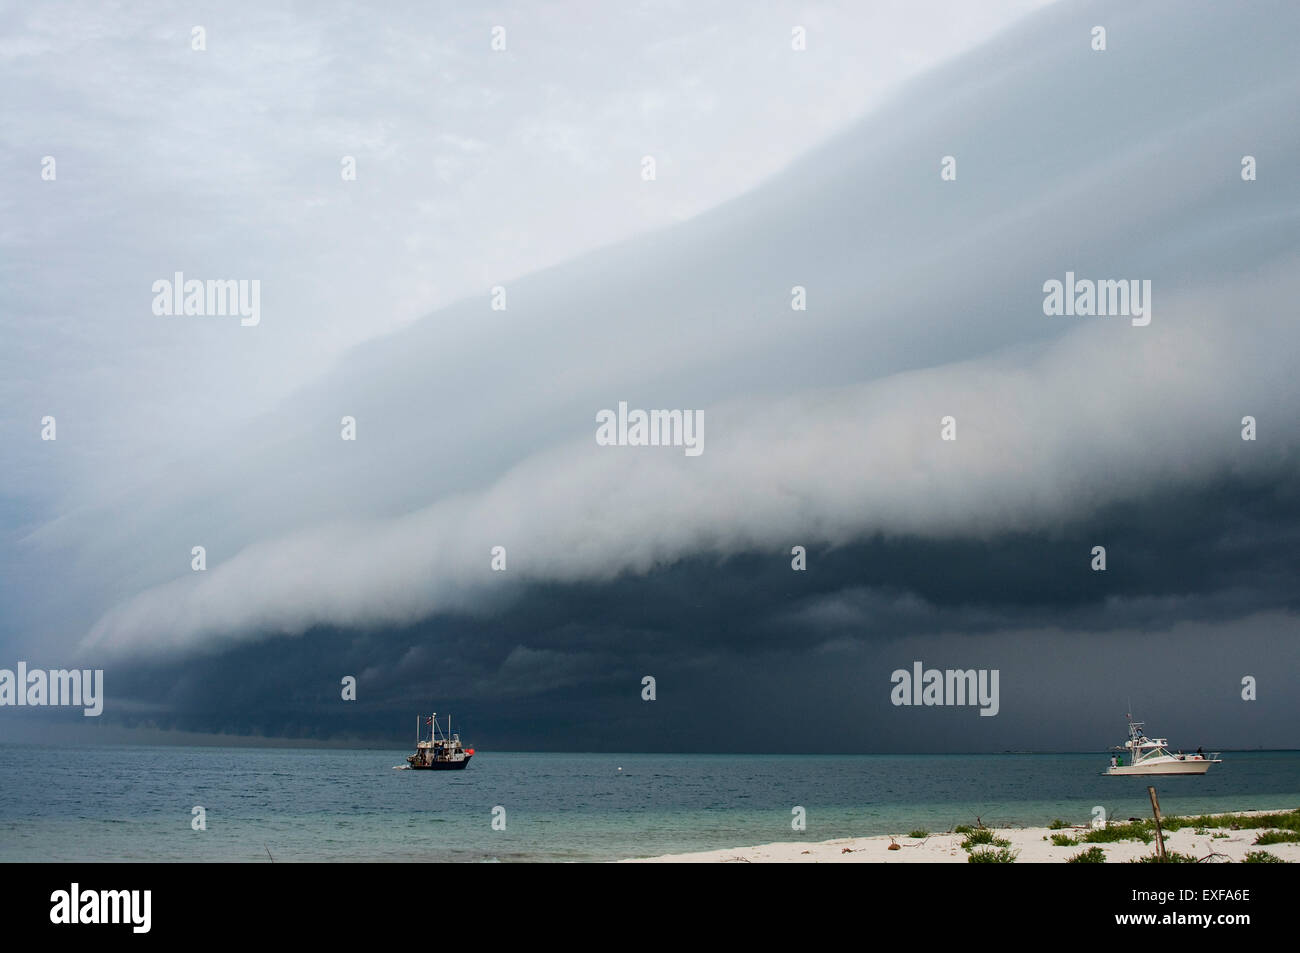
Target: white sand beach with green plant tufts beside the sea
<point x="1033" y="843"/>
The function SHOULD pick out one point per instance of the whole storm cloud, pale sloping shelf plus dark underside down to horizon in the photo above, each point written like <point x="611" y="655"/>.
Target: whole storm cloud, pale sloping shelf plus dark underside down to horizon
<point x="330" y="558"/>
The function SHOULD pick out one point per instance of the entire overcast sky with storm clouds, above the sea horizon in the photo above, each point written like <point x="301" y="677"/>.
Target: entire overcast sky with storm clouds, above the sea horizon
<point x="774" y="168"/>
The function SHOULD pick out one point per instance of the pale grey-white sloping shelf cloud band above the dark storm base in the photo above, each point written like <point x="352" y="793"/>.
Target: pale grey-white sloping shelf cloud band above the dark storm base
<point x="475" y="426"/>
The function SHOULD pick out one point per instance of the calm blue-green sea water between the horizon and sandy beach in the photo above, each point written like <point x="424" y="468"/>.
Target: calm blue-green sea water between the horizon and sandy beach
<point x="135" y="804"/>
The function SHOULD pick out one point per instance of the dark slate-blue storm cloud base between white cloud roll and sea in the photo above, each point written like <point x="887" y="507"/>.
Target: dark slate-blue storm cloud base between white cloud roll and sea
<point x="1190" y="578"/>
